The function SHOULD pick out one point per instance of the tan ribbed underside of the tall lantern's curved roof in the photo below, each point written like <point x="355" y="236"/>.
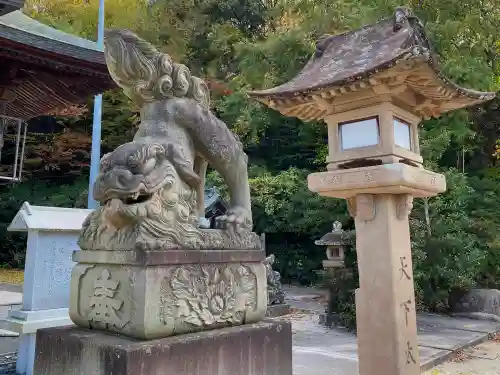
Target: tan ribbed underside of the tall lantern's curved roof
<point x="411" y="84"/>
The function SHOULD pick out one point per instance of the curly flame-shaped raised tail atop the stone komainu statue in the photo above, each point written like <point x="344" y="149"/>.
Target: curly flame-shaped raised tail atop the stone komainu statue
<point x="146" y="74"/>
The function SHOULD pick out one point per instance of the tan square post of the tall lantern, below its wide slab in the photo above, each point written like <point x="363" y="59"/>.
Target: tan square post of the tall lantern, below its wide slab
<point x="385" y="303"/>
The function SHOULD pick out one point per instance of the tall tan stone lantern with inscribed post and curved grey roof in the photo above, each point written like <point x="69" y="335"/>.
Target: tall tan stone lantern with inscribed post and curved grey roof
<point x="372" y="87"/>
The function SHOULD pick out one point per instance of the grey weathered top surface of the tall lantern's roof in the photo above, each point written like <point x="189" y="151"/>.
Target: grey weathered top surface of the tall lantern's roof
<point x="358" y="54"/>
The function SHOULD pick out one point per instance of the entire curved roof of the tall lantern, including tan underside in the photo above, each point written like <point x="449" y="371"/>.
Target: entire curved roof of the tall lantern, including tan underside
<point x="392" y="53"/>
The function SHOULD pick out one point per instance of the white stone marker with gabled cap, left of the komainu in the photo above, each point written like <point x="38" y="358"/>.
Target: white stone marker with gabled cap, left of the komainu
<point x="52" y="237"/>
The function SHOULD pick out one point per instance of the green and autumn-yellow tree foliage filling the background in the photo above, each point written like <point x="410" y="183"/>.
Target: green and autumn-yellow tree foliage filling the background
<point x="239" y="45"/>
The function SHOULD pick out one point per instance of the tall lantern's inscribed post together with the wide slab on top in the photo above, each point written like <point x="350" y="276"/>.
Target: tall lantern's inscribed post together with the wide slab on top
<point x="380" y="199"/>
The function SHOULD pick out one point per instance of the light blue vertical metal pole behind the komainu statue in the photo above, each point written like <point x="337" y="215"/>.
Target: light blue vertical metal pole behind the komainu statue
<point x="96" y="124"/>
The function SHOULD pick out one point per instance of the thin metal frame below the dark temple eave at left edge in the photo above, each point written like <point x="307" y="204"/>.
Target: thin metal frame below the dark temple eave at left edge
<point x="19" y="127"/>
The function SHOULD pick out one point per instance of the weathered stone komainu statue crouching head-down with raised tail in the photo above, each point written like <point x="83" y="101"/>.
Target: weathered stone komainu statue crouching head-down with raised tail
<point x="151" y="189"/>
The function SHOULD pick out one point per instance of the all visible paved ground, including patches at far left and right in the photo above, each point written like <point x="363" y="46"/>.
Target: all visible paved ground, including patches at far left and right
<point x="318" y="350"/>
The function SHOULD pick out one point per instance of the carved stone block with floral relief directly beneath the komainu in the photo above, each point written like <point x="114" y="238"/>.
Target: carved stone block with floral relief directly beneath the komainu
<point x="156" y="294"/>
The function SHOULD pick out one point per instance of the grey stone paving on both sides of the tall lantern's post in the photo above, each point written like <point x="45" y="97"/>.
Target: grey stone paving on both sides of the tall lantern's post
<point x="318" y="350"/>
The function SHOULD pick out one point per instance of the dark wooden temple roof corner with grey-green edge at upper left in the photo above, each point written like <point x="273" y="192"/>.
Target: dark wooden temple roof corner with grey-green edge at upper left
<point x="43" y="71"/>
